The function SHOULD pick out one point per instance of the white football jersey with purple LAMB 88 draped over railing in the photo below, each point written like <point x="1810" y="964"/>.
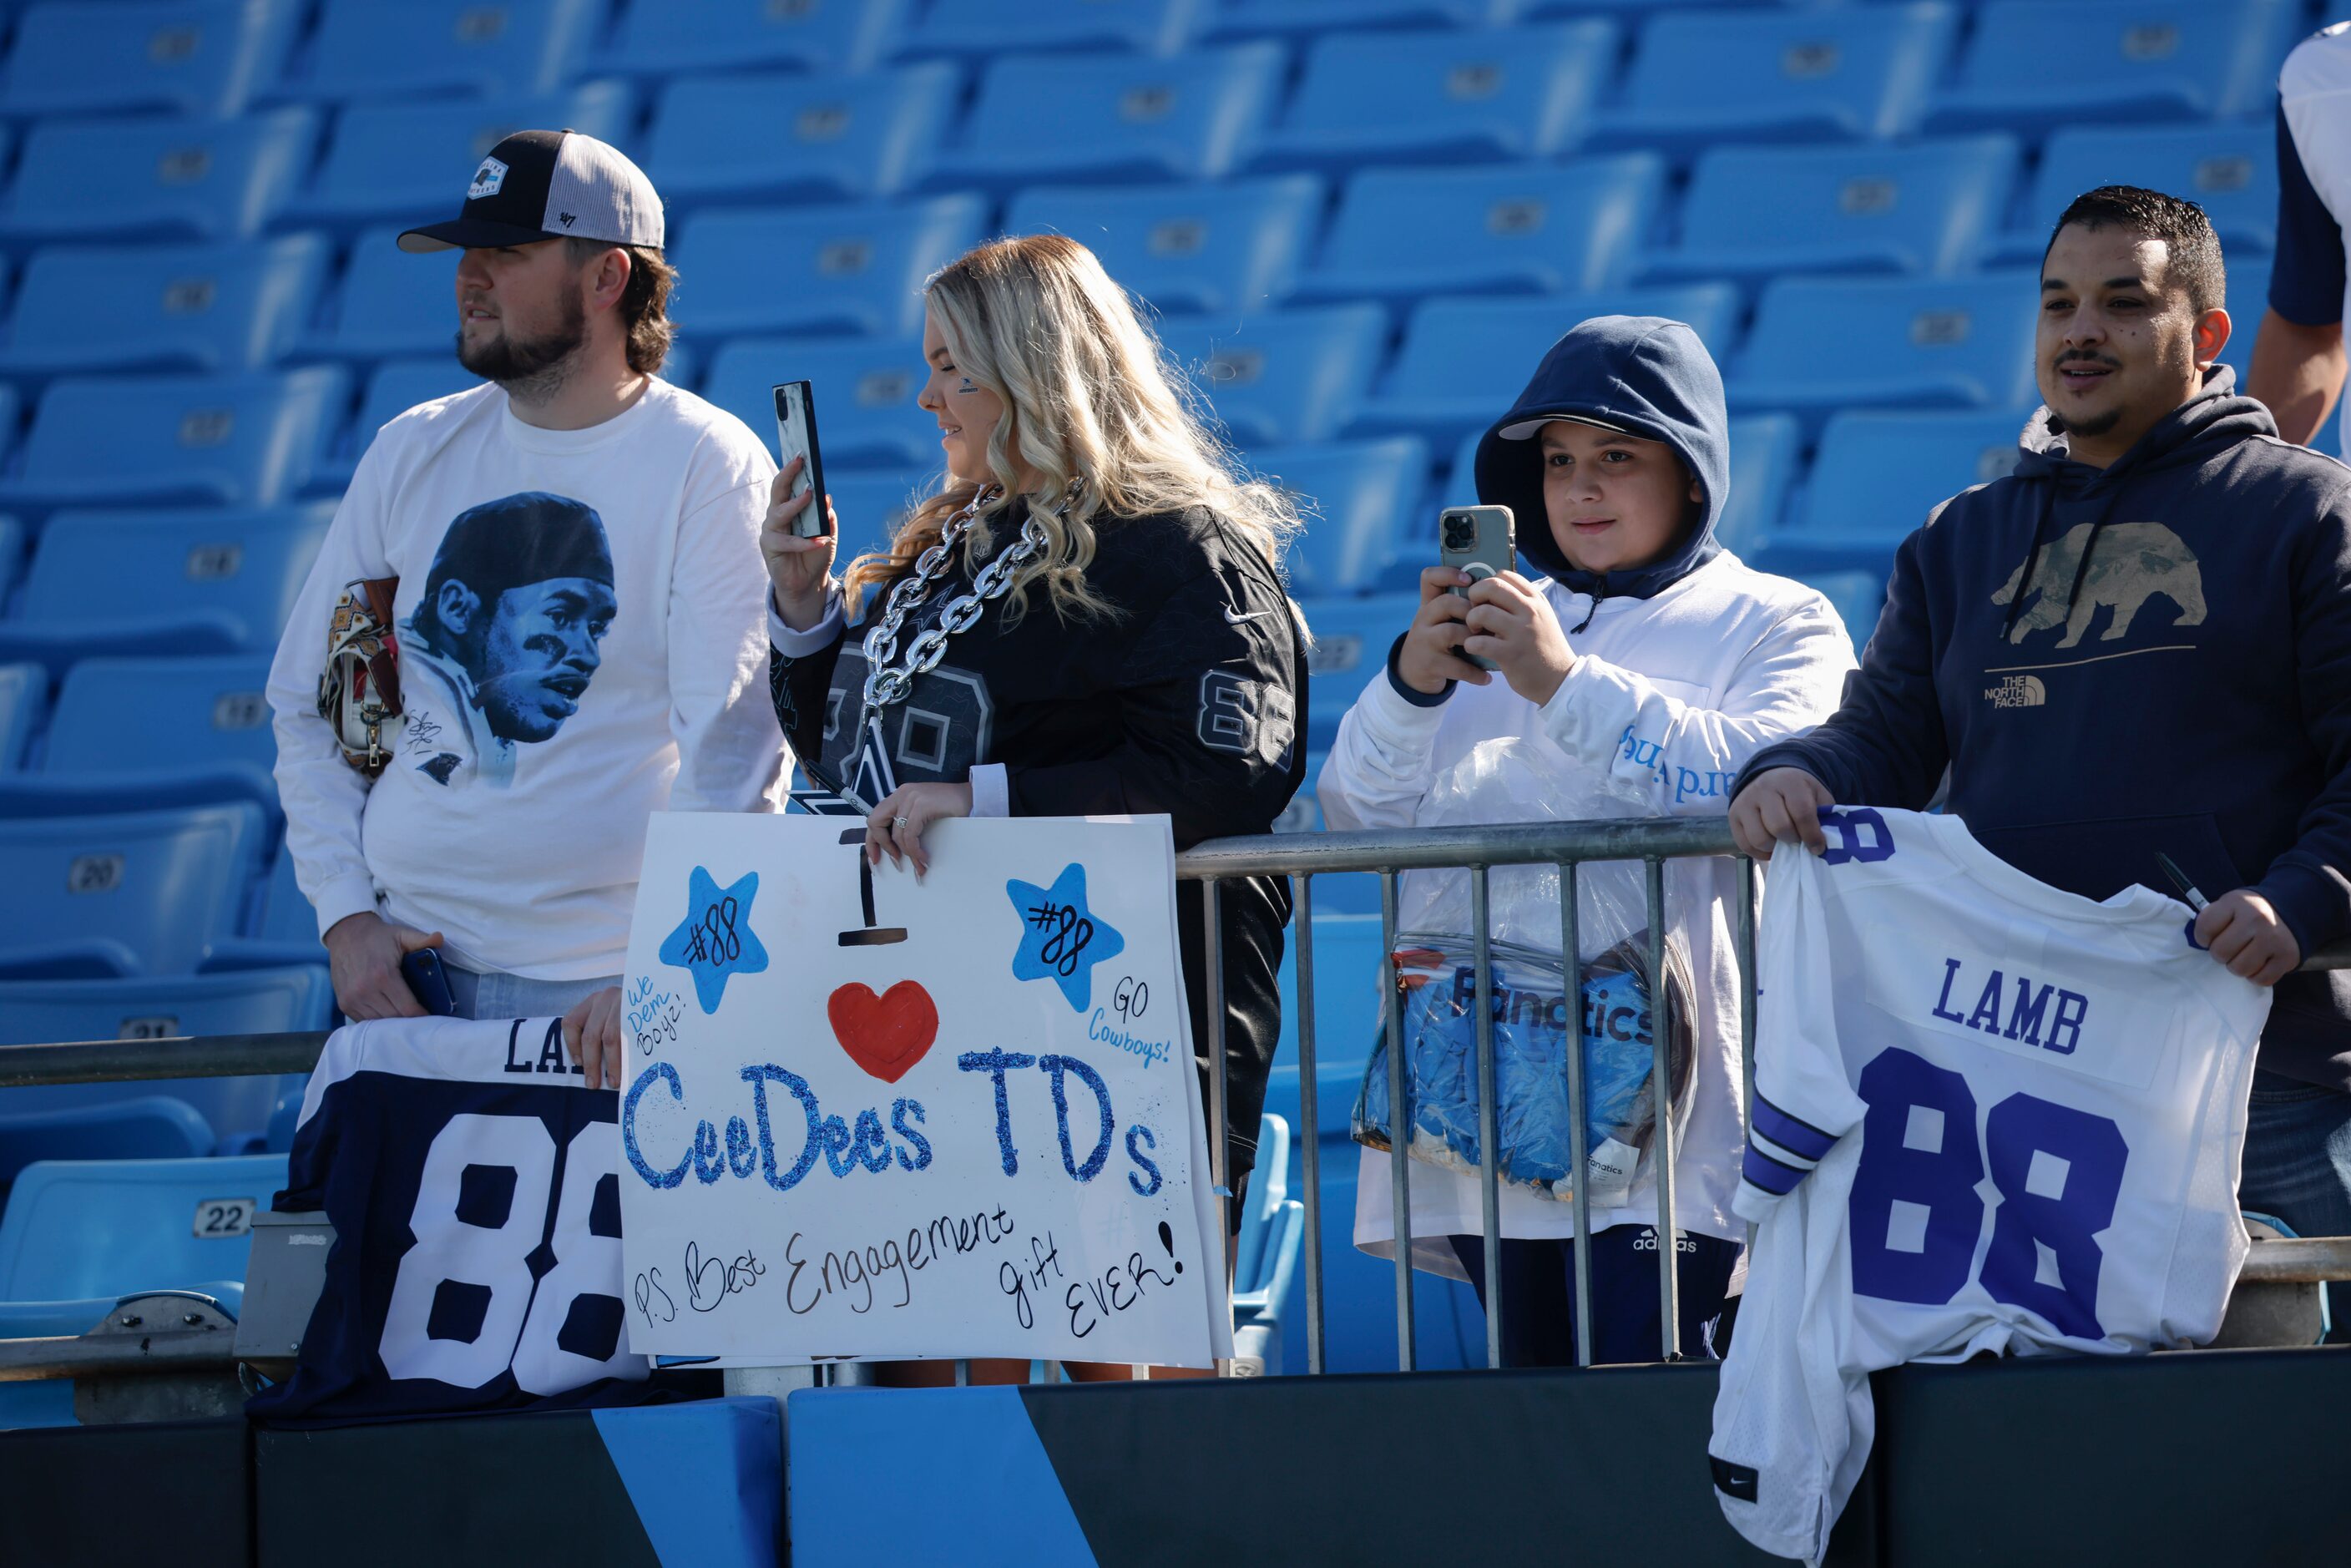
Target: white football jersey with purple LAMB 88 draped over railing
<point x="1990" y="1115"/>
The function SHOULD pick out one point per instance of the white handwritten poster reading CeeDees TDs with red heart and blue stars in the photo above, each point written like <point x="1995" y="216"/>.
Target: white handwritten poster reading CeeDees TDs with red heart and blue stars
<point x="885" y="1118"/>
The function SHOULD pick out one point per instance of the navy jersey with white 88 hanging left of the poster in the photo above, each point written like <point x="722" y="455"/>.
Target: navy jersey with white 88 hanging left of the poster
<point x="474" y="1191"/>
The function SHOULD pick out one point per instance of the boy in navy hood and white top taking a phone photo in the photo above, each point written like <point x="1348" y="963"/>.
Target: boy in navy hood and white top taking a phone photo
<point x="1647" y="664"/>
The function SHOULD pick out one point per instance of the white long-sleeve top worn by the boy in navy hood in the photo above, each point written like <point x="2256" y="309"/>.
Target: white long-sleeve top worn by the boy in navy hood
<point x="1668" y="699"/>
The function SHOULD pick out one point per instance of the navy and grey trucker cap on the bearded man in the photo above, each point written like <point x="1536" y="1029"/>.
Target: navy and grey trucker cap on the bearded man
<point x="549" y="187"/>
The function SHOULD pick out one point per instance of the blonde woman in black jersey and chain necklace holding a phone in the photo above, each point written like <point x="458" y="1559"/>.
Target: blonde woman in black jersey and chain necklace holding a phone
<point x="1087" y="619"/>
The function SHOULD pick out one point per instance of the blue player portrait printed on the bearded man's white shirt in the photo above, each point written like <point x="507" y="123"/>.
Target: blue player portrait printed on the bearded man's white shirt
<point x="507" y="636"/>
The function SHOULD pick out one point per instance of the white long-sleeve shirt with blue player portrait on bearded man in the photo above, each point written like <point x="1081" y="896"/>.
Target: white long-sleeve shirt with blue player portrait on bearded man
<point x="549" y="728"/>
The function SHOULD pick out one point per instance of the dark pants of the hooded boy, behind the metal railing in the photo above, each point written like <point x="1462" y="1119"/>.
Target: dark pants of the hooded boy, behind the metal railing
<point x="1539" y="1294"/>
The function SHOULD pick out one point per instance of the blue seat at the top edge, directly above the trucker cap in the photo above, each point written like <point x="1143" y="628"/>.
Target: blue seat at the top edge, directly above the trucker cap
<point x="373" y="51"/>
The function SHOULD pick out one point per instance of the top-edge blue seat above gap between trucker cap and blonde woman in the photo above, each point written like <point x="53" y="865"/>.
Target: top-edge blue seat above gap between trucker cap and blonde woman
<point x="749" y="34"/>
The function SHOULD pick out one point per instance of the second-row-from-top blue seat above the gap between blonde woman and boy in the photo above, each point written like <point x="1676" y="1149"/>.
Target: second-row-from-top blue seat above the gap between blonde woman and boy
<point x="1447" y="98"/>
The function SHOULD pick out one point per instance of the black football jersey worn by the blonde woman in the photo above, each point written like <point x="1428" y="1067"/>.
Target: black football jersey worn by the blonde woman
<point x="1186" y="702"/>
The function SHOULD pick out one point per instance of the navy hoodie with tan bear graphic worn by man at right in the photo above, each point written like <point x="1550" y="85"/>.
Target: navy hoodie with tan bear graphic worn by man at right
<point x="2134" y="659"/>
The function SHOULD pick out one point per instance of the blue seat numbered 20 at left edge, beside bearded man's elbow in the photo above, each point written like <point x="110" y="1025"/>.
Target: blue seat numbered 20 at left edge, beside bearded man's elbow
<point x="138" y="892"/>
